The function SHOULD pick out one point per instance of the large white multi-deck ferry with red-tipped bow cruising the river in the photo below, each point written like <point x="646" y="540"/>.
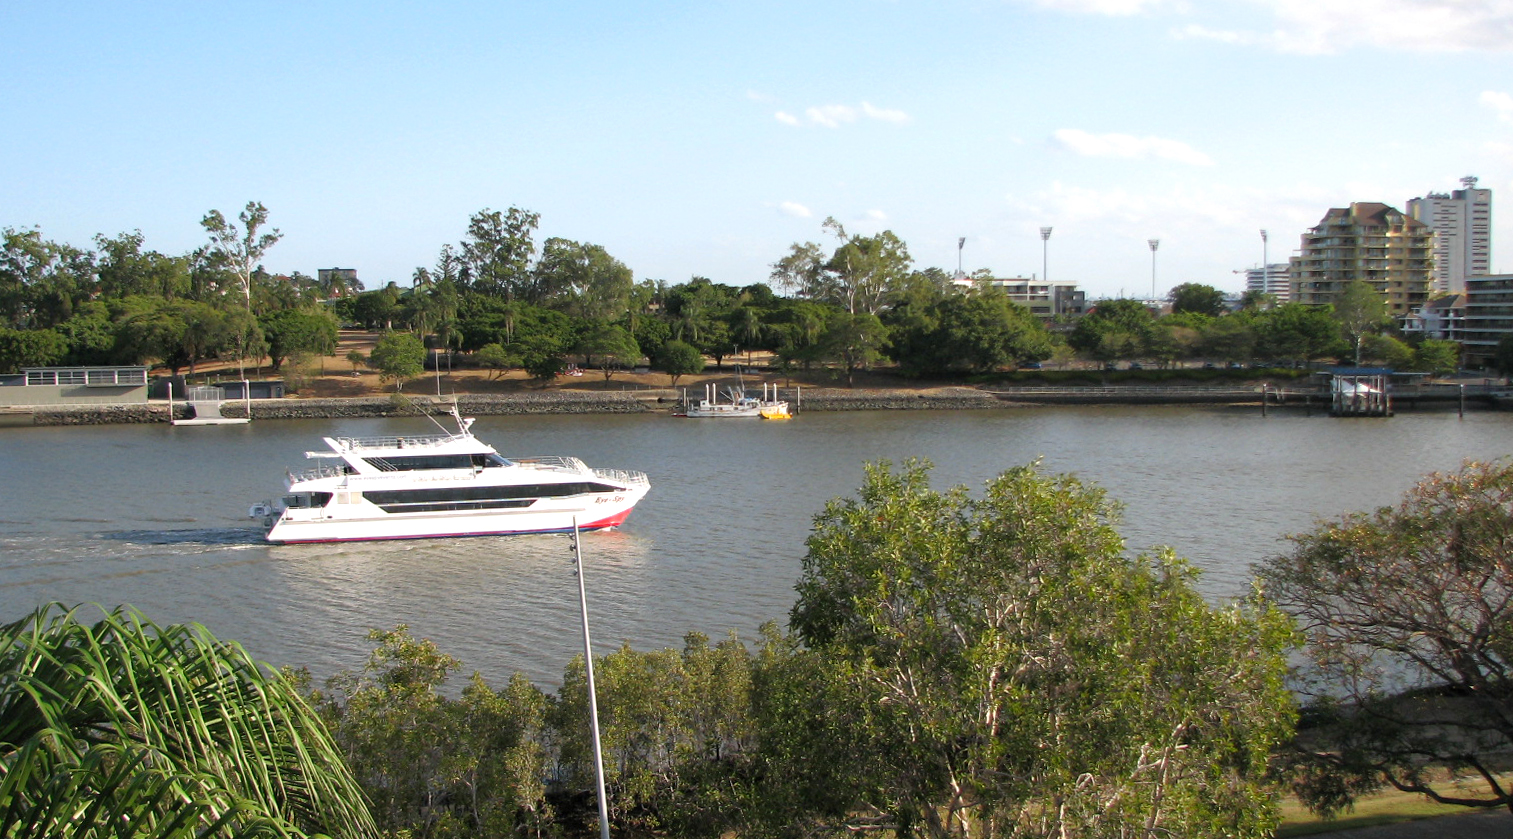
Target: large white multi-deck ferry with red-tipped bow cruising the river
<point x="443" y="486"/>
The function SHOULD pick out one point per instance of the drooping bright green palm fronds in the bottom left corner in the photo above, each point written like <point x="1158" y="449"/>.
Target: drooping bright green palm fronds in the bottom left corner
<point x="128" y="729"/>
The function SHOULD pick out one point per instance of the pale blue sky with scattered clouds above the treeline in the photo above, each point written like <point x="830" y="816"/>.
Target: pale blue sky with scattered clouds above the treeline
<point x="707" y="138"/>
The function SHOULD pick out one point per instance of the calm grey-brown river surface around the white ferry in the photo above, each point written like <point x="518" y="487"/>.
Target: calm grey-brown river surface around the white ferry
<point x="154" y="516"/>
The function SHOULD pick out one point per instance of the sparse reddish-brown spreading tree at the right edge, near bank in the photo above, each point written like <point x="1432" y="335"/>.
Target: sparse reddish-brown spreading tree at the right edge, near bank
<point x="1409" y="618"/>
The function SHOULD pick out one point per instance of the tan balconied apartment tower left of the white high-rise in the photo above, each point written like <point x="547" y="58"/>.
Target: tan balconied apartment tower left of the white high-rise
<point x="1372" y="243"/>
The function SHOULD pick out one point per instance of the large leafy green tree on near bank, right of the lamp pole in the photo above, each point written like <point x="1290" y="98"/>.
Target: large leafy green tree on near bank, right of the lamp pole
<point x="1008" y="670"/>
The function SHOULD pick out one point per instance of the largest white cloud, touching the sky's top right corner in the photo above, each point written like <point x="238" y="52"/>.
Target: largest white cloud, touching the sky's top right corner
<point x="1418" y="26"/>
